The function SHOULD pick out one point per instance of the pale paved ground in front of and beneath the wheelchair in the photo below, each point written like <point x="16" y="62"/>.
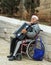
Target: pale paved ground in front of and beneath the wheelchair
<point x="4" y="51"/>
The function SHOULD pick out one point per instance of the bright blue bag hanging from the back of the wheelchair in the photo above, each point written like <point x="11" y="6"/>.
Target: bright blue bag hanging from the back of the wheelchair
<point x="39" y="53"/>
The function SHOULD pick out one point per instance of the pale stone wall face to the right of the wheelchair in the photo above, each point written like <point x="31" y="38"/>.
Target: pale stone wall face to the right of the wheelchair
<point x="46" y="37"/>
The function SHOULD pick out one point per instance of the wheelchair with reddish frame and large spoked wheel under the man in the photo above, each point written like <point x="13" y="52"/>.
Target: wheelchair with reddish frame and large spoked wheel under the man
<point x="29" y="47"/>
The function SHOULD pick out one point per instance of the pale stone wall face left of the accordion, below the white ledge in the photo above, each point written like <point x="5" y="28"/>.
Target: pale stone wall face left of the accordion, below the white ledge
<point x="6" y="29"/>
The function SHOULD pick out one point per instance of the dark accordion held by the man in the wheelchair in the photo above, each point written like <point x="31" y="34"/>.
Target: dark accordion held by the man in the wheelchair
<point x="21" y="36"/>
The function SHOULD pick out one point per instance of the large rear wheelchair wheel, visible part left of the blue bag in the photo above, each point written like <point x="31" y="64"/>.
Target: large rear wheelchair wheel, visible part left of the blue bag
<point x="30" y="50"/>
